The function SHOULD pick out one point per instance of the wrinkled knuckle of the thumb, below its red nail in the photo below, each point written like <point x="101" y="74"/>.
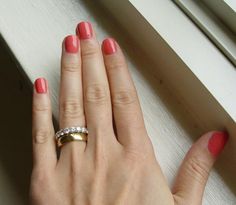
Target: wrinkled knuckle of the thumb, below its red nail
<point x="197" y="169"/>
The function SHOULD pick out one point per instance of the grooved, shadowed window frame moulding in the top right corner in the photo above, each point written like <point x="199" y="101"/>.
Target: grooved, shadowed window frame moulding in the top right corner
<point x="217" y="19"/>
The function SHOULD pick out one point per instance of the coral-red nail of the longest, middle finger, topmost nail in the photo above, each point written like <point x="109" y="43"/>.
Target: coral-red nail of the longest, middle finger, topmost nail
<point x="84" y="30"/>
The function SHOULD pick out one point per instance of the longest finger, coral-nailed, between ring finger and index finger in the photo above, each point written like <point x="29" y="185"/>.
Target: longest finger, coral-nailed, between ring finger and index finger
<point x="95" y="84"/>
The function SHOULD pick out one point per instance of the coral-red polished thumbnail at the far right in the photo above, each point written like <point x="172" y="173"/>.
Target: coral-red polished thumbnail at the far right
<point x="217" y="142"/>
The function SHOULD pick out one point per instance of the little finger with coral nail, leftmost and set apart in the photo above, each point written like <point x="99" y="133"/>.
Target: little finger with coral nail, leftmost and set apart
<point x="44" y="150"/>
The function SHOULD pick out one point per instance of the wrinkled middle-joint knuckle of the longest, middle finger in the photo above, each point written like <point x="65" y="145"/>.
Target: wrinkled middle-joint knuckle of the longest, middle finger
<point x="96" y="94"/>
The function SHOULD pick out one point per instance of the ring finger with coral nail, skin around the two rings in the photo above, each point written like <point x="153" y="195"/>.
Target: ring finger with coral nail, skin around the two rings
<point x="71" y="95"/>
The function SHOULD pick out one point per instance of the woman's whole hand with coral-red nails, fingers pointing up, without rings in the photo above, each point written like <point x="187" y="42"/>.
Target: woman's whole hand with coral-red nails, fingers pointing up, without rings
<point x="117" y="164"/>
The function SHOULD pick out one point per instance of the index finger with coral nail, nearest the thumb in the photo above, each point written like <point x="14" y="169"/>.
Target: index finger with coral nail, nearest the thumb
<point x="125" y="104"/>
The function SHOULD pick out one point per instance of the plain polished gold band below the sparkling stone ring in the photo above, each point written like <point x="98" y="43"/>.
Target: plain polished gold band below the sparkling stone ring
<point x="71" y="137"/>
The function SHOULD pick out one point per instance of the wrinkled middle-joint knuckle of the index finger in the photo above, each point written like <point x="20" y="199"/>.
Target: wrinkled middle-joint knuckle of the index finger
<point x="124" y="97"/>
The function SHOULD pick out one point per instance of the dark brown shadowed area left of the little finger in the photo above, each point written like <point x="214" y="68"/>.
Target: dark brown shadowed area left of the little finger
<point x="15" y="126"/>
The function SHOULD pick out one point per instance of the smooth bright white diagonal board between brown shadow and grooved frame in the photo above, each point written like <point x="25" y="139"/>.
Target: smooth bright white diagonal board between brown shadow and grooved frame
<point x="201" y="56"/>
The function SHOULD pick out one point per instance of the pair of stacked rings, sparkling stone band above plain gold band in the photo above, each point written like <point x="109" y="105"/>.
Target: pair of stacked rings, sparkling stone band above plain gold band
<point x="71" y="134"/>
